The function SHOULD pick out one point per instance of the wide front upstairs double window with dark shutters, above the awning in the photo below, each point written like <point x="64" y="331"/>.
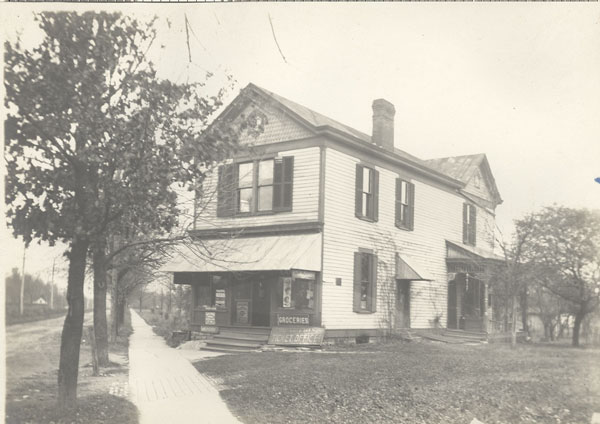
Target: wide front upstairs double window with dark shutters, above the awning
<point x="255" y="187"/>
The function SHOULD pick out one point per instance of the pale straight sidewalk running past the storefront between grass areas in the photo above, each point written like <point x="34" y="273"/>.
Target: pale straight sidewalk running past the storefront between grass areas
<point x="165" y="386"/>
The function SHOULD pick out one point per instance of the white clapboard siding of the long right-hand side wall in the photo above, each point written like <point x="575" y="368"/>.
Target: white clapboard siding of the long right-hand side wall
<point x="438" y="217"/>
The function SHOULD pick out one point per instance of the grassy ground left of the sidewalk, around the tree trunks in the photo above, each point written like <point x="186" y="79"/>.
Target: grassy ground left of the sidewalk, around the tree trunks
<point x="31" y="390"/>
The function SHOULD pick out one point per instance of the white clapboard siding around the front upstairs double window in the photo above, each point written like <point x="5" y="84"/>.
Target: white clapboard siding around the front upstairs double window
<point x="305" y="203"/>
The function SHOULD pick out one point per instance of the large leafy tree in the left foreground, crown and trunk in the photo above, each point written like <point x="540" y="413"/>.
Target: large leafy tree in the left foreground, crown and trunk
<point x="95" y="140"/>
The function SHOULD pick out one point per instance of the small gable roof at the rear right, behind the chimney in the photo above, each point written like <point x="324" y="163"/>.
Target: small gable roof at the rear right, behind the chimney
<point x="463" y="167"/>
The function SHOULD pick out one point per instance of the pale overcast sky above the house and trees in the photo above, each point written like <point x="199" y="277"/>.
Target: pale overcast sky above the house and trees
<point x="518" y="81"/>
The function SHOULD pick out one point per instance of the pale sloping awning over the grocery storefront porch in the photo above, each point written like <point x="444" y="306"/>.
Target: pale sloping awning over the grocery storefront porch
<point x="273" y="253"/>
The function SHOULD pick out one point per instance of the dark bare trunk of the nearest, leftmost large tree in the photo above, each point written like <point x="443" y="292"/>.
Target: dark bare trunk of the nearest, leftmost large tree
<point x="71" y="335"/>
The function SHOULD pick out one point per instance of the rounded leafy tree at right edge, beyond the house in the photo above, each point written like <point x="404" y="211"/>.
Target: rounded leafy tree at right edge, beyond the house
<point x="565" y="248"/>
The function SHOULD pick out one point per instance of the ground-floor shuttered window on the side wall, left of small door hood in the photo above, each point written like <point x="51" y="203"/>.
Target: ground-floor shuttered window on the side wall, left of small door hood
<point x="365" y="282"/>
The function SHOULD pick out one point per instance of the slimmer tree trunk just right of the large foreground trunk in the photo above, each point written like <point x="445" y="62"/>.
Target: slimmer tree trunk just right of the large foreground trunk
<point x="100" y="324"/>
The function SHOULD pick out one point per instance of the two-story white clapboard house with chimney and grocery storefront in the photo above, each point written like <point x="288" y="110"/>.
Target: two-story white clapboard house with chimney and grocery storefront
<point x="313" y="223"/>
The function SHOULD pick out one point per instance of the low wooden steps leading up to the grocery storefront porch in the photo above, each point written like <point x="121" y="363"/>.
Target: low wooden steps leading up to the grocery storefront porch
<point x="238" y="339"/>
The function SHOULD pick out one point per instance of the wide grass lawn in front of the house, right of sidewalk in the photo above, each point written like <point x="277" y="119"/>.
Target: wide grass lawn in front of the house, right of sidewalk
<point x="413" y="383"/>
